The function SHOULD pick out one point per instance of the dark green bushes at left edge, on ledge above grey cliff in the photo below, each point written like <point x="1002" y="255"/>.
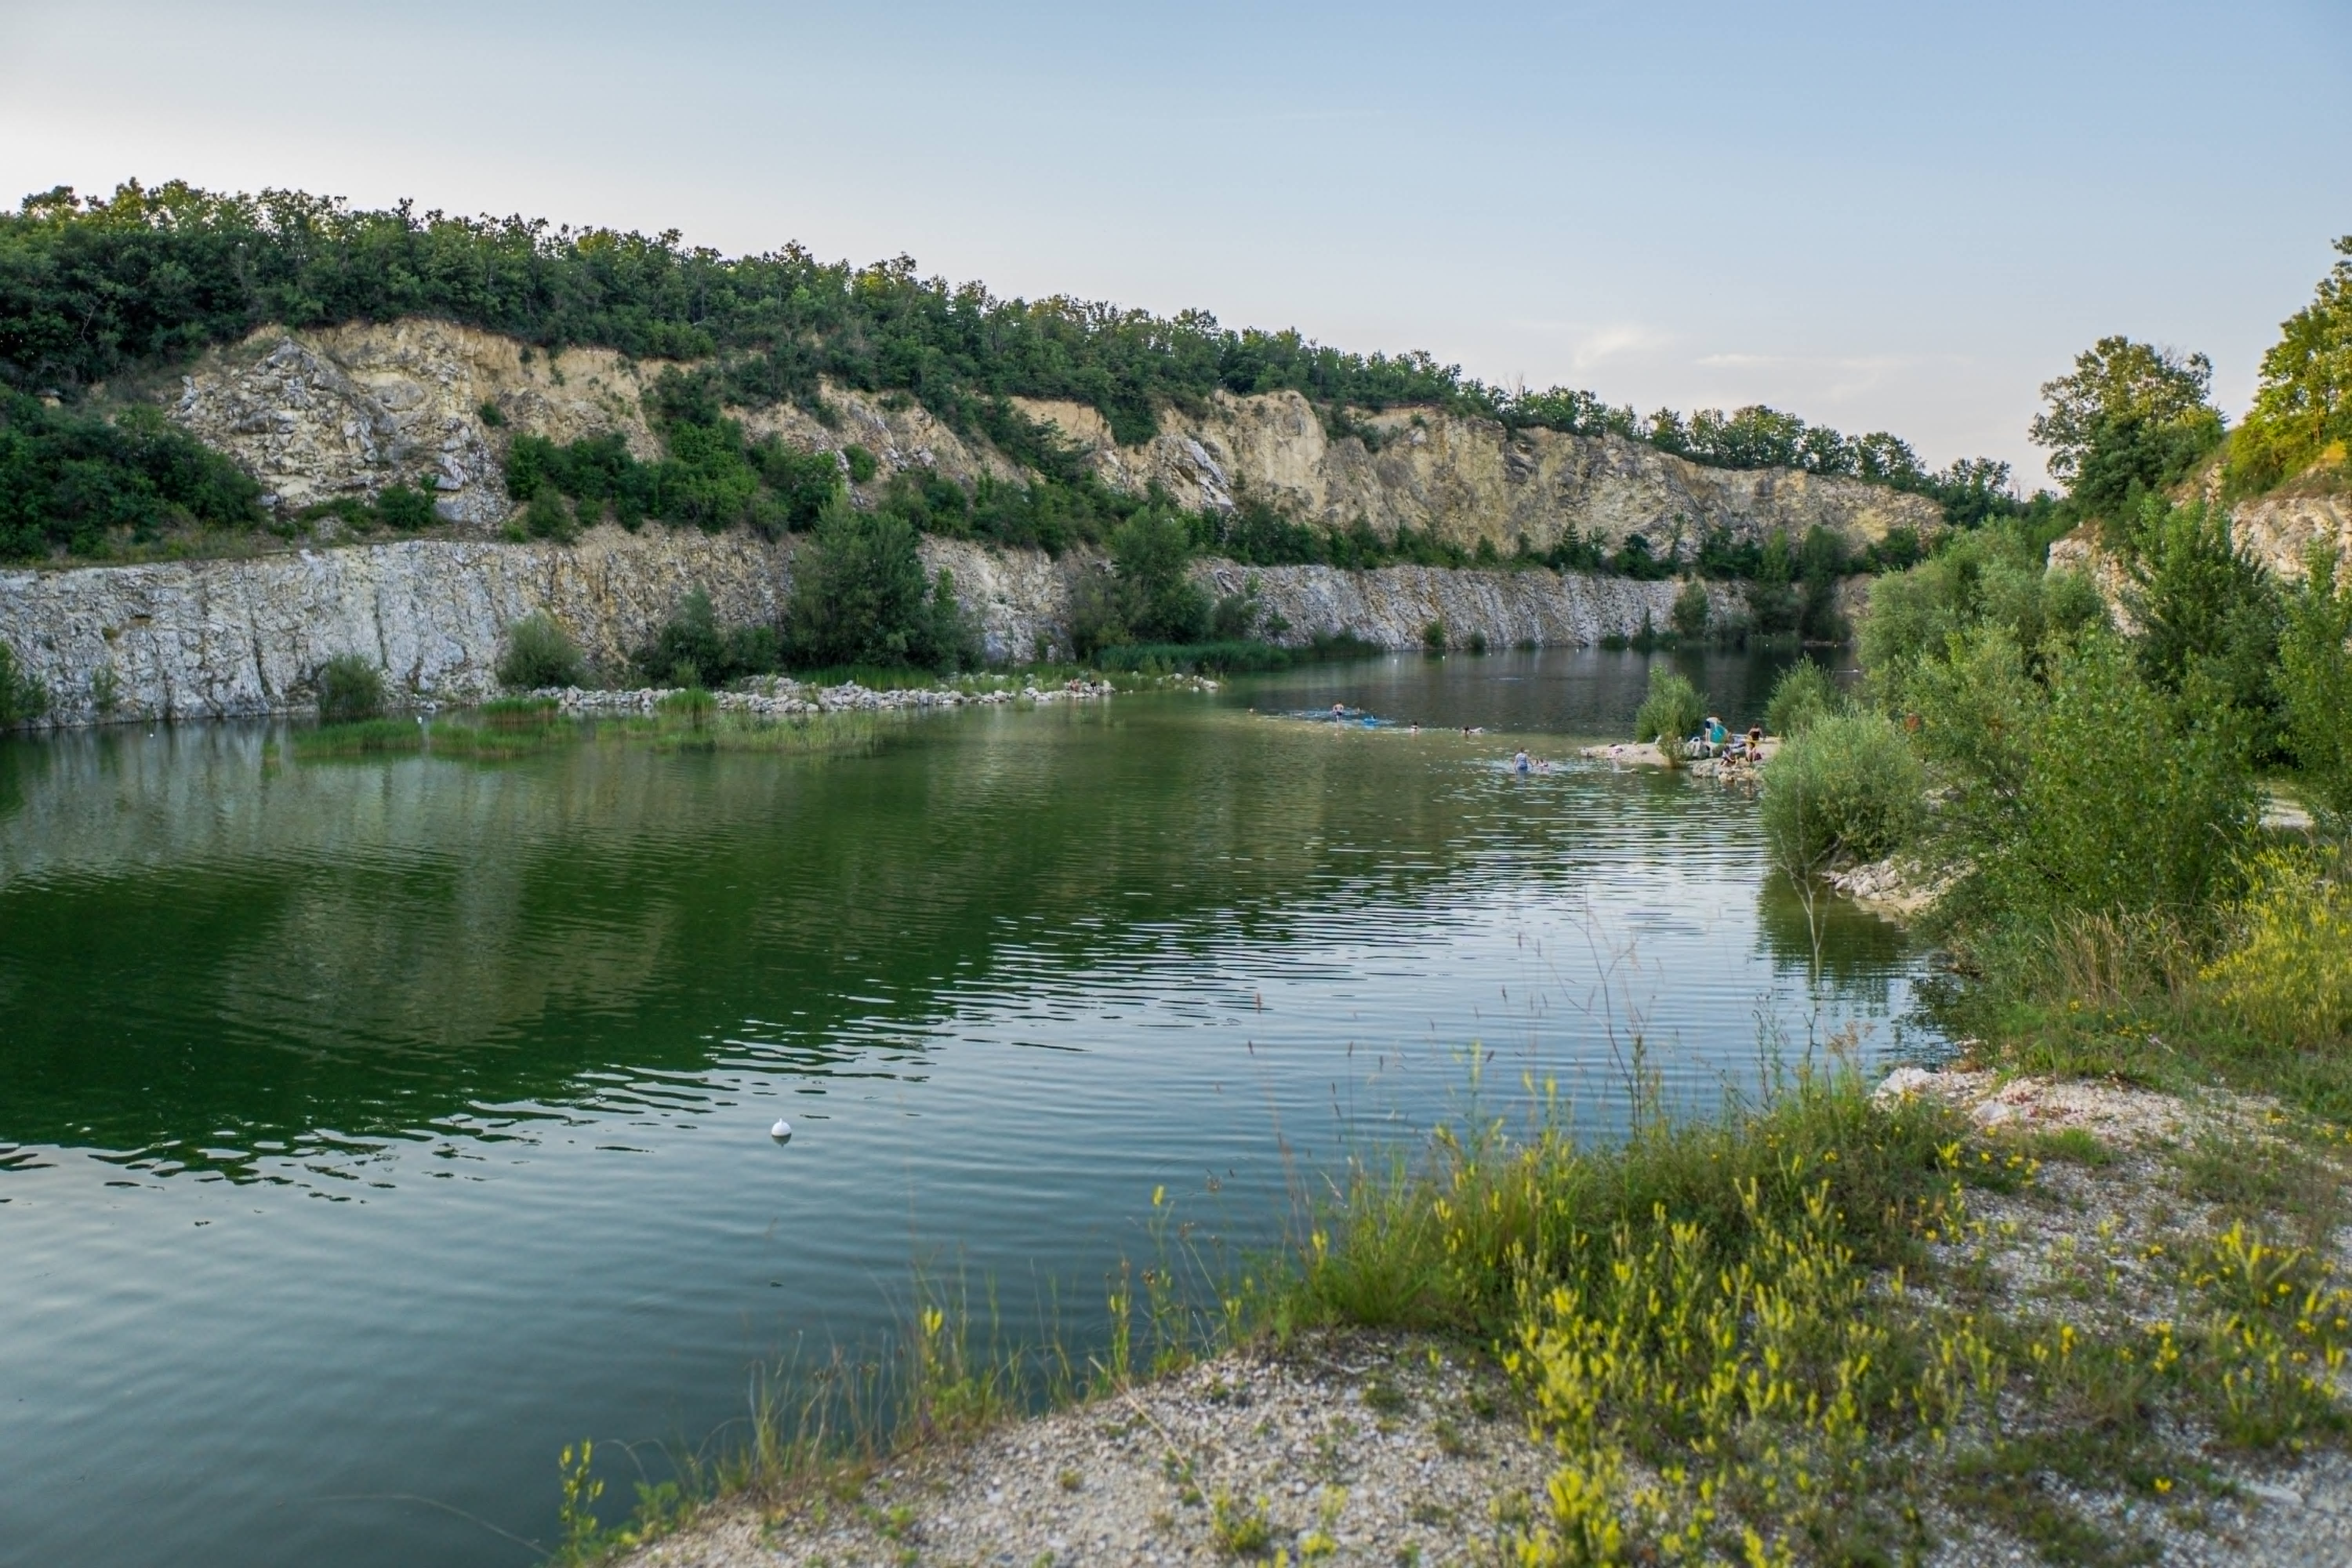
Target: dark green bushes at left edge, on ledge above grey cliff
<point x="69" y="481"/>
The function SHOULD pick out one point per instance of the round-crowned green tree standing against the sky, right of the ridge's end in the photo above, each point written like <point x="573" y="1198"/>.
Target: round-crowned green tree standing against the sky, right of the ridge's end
<point x="2130" y="420"/>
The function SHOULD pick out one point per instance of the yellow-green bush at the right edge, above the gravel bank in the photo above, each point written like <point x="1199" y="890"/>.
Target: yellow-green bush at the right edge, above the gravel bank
<point x="2290" y="967"/>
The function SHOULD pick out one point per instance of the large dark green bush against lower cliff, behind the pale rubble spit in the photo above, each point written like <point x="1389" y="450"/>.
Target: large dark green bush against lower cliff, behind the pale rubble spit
<point x="860" y="598"/>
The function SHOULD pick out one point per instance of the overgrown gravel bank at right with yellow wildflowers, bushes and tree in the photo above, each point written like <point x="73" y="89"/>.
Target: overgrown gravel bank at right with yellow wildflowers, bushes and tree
<point x="2073" y="1299"/>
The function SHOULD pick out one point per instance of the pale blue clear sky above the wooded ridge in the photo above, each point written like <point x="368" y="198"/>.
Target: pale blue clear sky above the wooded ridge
<point x="1871" y="215"/>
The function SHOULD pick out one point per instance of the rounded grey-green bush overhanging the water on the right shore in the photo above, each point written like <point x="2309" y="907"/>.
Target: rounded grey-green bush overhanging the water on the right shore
<point x="1843" y="789"/>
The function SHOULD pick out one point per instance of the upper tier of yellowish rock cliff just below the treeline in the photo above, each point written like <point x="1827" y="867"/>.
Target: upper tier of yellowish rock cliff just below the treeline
<point x="321" y="415"/>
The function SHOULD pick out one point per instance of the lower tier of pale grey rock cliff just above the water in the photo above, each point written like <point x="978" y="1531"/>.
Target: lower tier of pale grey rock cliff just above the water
<point x="206" y="641"/>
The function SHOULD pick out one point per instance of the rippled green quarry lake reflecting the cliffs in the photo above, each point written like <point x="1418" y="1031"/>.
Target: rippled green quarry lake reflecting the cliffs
<point x="370" y="1130"/>
